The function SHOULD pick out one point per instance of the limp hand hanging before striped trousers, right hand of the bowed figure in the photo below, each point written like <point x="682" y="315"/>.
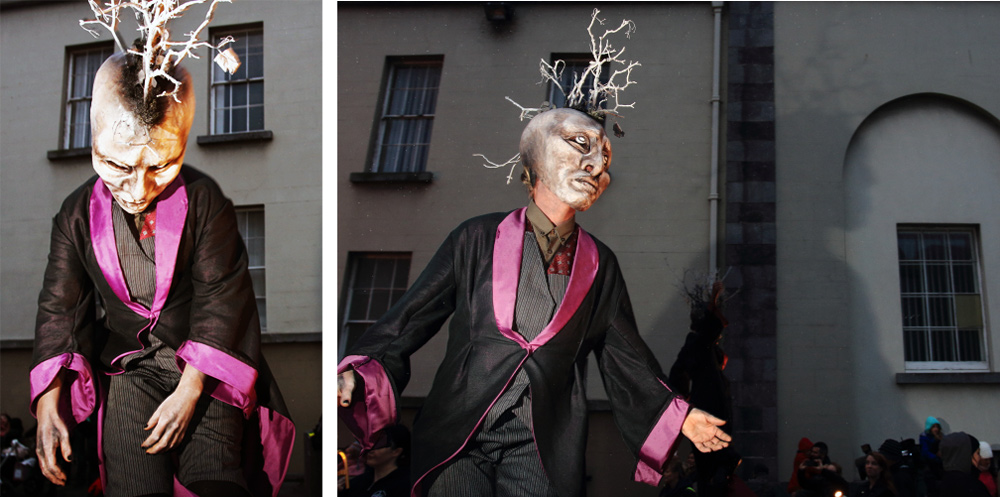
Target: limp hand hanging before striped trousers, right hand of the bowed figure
<point x="170" y="420"/>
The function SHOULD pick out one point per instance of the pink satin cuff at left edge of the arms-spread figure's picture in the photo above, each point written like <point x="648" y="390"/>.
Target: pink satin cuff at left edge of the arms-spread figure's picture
<point x="378" y="411"/>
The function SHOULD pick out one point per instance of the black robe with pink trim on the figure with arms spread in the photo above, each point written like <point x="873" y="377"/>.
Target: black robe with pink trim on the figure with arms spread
<point x="480" y="359"/>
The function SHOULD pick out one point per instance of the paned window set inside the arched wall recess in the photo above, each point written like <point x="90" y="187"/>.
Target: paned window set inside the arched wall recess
<point x="942" y="298"/>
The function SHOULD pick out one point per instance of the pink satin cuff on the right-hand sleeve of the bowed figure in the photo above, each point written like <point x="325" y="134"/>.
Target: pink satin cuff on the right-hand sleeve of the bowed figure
<point x="236" y="379"/>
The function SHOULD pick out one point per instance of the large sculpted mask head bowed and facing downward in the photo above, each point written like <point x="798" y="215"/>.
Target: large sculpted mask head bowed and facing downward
<point x="138" y="144"/>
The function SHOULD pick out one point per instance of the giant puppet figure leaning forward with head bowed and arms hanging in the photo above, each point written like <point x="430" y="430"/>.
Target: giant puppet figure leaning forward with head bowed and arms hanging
<point x="185" y="401"/>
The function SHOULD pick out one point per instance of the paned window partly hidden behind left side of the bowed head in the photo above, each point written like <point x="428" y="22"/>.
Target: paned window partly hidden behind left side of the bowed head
<point x="81" y="66"/>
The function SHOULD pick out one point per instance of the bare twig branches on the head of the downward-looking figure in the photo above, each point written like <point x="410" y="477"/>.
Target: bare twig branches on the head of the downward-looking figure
<point x="160" y="53"/>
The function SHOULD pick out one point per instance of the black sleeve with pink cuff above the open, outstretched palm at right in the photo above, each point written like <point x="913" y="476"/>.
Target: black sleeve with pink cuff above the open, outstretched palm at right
<point x="646" y="412"/>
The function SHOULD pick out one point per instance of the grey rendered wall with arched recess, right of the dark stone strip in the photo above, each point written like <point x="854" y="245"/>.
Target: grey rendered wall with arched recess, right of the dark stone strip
<point x="836" y="63"/>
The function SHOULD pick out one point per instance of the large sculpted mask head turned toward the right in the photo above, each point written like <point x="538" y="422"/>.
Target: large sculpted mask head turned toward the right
<point x="569" y="153"/>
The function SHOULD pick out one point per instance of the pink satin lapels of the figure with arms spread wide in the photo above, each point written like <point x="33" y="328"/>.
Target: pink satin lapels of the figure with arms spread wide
<point x="507" y="268"/>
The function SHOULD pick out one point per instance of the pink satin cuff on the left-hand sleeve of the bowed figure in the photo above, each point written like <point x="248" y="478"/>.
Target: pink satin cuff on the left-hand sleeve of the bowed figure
<point x="82" y="392"/>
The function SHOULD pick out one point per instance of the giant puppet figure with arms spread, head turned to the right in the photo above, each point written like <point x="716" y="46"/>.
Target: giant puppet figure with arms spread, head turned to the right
<point x="530" y="295"/>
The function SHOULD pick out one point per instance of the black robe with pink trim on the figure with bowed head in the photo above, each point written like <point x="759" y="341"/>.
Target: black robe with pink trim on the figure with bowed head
<point x="205" y="308"/>
